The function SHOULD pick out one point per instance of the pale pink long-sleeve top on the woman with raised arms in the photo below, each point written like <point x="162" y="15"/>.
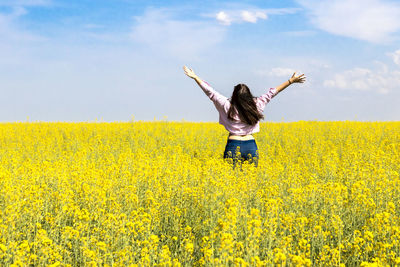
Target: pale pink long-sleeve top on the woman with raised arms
<point x="223" y="104"/>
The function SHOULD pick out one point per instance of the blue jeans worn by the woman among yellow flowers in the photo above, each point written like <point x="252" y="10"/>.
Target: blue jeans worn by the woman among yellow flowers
<point x="241" y="150"/>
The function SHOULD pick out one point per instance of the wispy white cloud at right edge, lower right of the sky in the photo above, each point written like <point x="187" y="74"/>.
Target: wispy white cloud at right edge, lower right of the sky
<point x="381" y="80"/>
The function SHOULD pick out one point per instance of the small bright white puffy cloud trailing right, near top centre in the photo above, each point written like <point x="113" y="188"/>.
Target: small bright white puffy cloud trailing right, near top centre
<point x="249" y="15"/>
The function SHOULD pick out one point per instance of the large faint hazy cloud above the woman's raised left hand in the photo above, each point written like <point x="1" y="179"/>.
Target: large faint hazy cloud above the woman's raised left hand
<point x="183" y="39"/>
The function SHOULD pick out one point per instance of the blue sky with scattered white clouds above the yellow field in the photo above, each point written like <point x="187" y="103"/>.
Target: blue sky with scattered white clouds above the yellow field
<point x="111" y="60"/>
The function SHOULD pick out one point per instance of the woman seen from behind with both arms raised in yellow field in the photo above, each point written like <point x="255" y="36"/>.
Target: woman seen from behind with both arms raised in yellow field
<point x="240" y="115"/>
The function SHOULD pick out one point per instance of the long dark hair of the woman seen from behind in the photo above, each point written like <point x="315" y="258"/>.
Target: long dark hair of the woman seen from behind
<point x="243" y="101"/>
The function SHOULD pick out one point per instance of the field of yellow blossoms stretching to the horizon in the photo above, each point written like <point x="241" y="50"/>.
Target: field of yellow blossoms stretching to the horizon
<point x="160" y="194"/>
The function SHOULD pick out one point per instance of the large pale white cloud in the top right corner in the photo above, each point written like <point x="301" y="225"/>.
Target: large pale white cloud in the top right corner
<point x="370" y="20"/>
